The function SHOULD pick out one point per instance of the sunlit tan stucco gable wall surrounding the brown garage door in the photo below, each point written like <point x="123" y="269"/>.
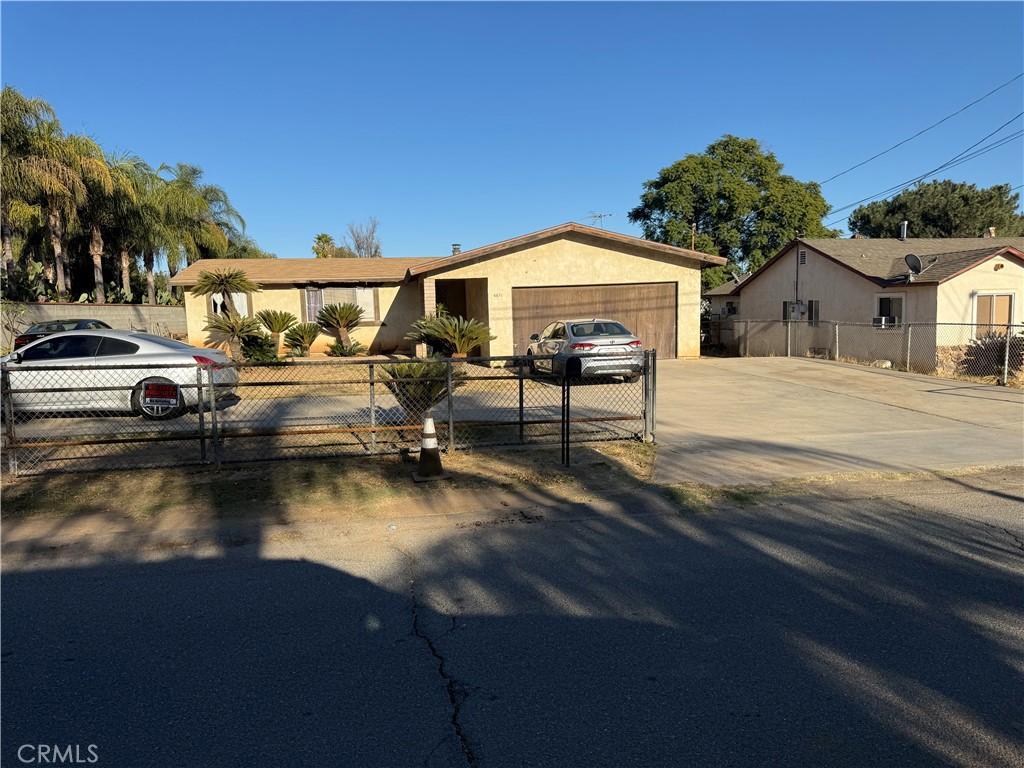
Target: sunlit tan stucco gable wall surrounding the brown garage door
<point x="579" y="261"/>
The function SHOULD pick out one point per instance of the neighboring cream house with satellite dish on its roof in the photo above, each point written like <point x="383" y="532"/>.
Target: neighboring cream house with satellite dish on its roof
<point x="974" y="281"/>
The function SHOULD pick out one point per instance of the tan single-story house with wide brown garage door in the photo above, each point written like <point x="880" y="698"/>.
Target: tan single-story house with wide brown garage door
<point x="517" y="287"/>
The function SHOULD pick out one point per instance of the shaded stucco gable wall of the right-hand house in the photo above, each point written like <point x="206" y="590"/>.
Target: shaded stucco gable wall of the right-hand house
<point x="845" y="296"/>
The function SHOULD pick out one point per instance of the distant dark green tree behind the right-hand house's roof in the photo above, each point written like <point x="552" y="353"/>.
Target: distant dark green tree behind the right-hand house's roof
<point x="942" y="209"/>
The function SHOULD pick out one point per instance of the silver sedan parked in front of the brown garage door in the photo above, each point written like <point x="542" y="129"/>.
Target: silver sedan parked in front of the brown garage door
<point x="605" y="348"/>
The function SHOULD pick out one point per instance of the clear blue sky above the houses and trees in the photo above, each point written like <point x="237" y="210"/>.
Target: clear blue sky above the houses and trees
<point x="472" y="123"/>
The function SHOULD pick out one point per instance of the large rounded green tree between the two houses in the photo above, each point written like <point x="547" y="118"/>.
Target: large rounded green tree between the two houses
<point x="742" y="204"/>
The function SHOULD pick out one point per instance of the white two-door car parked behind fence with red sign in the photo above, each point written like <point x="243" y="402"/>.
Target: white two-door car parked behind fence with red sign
<point x="115" y="371"/>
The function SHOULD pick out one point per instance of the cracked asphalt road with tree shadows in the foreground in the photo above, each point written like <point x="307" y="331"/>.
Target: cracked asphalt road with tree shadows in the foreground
<point x="840" y="630"/>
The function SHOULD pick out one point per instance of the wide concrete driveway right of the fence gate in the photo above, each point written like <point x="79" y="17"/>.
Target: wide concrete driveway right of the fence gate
<point x="755" y="420"/>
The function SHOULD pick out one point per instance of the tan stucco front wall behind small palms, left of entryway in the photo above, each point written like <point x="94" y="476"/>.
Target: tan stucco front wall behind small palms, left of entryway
<point x="399" y="308"/>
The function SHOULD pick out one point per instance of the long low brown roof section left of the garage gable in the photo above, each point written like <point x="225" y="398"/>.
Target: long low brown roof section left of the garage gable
<point x="292" y="272"/>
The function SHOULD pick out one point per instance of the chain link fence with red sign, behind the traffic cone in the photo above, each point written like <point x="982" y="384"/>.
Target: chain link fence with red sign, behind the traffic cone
<point x="64" y="418"/>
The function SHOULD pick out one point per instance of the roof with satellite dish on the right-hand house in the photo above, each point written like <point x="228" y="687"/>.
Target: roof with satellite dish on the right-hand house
<point x="882" y="261"/>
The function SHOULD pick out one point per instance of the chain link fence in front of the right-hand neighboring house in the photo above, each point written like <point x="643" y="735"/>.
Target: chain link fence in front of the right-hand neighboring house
<point x="986" y="354"/>
